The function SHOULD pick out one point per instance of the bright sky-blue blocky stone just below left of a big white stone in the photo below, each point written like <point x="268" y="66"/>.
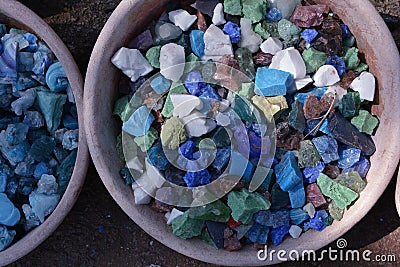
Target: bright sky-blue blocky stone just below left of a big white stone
<point x="272" y="82"/>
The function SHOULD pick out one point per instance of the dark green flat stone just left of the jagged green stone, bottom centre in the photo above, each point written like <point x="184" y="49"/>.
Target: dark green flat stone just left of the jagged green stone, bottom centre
<point x="216" y="211"/>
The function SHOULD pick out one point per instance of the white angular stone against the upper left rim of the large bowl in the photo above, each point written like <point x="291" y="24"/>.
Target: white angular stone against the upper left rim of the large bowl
<point x="132" y="63"/>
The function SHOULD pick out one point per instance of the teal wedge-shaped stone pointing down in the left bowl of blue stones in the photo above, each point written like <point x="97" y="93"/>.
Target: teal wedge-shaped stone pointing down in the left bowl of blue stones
<point x="51" y="105"/>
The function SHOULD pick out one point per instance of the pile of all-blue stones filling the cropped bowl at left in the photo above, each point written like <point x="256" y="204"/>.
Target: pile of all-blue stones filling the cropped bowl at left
<point x="39" y="133"/>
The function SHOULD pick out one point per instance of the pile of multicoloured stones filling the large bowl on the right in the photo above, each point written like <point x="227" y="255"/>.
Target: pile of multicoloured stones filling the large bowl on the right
<point x="307" y="73"/>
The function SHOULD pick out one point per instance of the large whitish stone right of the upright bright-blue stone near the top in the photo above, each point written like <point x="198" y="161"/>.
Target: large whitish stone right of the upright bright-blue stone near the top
<point x="217" y="44"/>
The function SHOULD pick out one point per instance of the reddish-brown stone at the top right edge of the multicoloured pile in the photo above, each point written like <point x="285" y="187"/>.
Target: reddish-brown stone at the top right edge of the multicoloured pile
<point x="308" y="16"/>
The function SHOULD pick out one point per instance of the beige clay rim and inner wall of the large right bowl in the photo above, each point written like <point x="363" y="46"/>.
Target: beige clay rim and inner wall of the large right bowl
<point x="131" y="17"/>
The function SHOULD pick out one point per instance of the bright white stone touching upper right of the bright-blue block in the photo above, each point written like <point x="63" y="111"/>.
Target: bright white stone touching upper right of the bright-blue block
<point x="289" y="60"/>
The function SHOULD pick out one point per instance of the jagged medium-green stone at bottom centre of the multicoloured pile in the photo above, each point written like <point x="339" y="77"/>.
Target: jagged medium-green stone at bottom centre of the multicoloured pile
<point x="244" y="204"/>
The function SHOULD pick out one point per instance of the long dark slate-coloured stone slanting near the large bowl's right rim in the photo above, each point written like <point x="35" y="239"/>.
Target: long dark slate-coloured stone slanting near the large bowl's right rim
<point x="343" y="131"/>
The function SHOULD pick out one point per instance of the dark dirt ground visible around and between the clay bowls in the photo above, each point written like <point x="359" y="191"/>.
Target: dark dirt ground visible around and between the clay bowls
<point x="98" y="233"/>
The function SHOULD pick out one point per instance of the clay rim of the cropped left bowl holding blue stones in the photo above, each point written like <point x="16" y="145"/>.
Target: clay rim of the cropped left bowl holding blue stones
<point x="15" y="14"/>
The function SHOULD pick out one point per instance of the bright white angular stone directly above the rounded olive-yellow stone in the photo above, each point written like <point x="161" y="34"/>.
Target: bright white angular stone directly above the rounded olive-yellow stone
<point x="185" y="104"/>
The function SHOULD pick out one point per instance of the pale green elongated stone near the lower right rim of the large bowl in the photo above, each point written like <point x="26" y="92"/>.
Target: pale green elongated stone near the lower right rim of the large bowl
<point x="342" y="195"/>
